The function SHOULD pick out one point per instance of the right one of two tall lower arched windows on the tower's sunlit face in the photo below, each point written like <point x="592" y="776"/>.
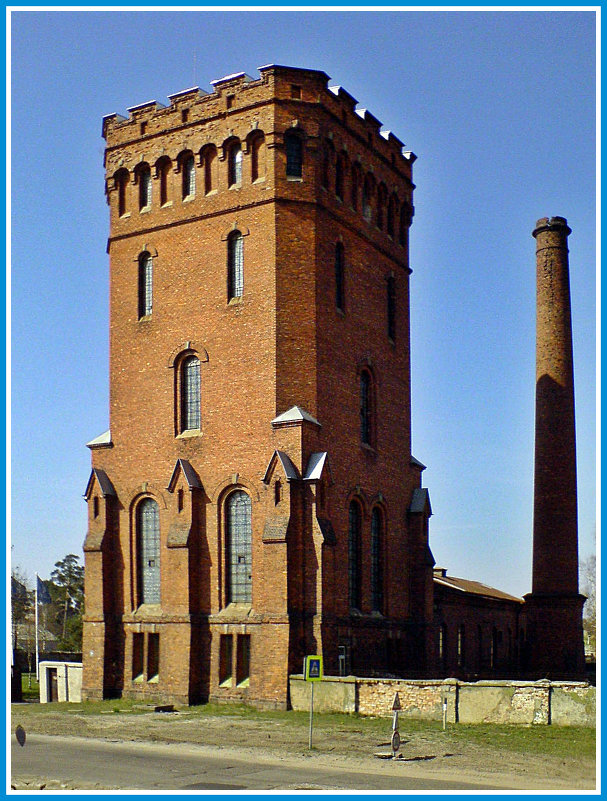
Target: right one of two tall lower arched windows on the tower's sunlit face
<point x="238" y="547"/>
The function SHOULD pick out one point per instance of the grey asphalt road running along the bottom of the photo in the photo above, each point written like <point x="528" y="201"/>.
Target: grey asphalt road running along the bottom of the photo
<point x="153" y="766"/>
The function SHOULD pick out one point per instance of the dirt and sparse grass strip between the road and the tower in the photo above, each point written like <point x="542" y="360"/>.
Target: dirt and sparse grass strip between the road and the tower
<point x="429" y="752"/>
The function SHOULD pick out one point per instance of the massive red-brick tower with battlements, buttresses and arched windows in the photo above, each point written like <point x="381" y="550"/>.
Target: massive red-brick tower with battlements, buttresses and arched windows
<point x="255" y="498"/>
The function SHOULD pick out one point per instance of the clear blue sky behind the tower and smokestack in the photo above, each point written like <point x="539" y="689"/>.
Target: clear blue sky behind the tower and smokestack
<point x="499" y="107"/>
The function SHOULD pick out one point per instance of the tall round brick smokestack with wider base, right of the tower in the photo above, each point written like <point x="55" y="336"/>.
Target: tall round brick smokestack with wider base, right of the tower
<point x="554" y="606"/>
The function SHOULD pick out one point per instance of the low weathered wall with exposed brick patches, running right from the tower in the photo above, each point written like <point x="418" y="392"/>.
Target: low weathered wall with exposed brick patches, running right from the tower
<point x="517" y="702"/>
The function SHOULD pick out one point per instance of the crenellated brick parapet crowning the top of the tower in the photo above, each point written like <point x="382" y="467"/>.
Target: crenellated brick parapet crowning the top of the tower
<point x="278" y="83"/>
